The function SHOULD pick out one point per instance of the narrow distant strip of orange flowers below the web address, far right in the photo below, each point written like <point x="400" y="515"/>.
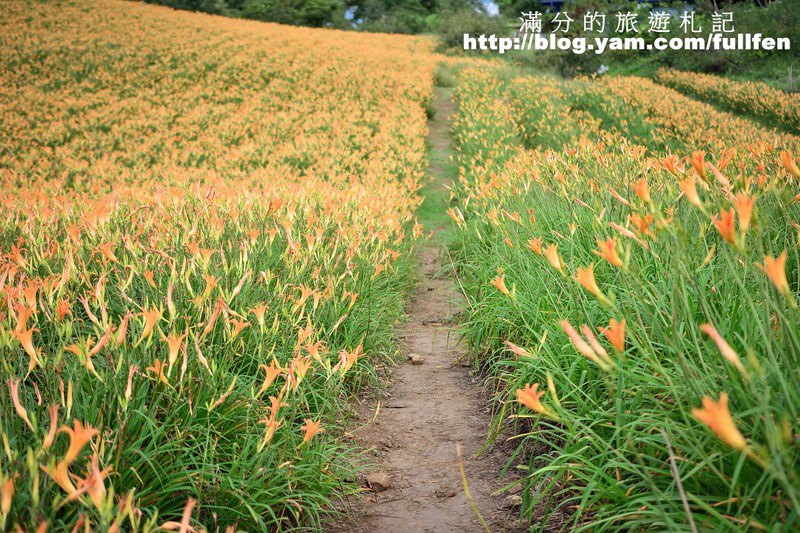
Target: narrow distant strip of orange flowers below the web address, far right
<point x="753" y="98"/>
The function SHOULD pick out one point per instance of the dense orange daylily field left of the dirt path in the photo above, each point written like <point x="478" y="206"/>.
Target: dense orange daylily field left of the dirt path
<point x="205" y="242"/>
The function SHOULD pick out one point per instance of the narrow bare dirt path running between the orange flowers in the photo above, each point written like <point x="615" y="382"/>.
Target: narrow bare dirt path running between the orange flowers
<point x="432" y="407"/>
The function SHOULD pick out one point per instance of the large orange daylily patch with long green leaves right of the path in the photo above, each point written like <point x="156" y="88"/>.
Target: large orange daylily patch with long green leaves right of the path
<point x="630" y="258"/>
